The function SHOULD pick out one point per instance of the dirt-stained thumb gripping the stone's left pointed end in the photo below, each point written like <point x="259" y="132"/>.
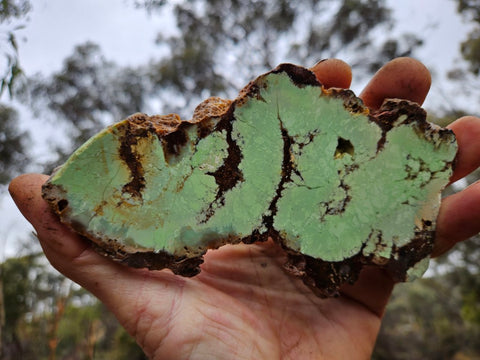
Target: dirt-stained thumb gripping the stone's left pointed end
<point x="68" y="252"/>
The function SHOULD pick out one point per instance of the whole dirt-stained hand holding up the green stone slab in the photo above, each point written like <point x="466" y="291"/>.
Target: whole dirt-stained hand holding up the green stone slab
<point x="243" y="305"/>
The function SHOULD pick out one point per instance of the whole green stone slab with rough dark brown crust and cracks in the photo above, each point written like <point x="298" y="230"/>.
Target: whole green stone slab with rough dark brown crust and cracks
<point x="337" y="186"/>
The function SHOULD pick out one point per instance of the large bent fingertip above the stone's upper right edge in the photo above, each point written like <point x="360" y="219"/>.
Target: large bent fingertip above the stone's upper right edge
<point x="402" y="78"/>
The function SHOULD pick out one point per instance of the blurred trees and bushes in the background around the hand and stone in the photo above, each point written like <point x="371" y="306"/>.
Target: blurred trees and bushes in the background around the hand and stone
<point x="216" y="48"/>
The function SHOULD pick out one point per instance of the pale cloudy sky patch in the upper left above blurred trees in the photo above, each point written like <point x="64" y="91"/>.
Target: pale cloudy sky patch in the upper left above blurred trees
<point x="124" y="33"/>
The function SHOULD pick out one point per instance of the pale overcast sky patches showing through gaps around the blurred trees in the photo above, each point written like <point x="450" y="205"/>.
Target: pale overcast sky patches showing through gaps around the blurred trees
<point x="126" y="34"/>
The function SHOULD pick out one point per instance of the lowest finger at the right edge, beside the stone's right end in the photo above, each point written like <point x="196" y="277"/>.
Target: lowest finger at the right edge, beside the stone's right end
<point x="458" y="219"/>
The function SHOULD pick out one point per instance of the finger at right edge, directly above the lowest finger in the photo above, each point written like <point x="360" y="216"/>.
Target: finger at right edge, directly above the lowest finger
<point x="467" y="132"/>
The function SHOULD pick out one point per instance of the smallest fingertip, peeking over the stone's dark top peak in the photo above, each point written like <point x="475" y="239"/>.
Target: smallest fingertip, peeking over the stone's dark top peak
<point x="333" y="73"/>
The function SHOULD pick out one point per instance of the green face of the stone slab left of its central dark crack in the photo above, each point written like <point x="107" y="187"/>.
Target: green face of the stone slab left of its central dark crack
<point x="172" y="213"/>
